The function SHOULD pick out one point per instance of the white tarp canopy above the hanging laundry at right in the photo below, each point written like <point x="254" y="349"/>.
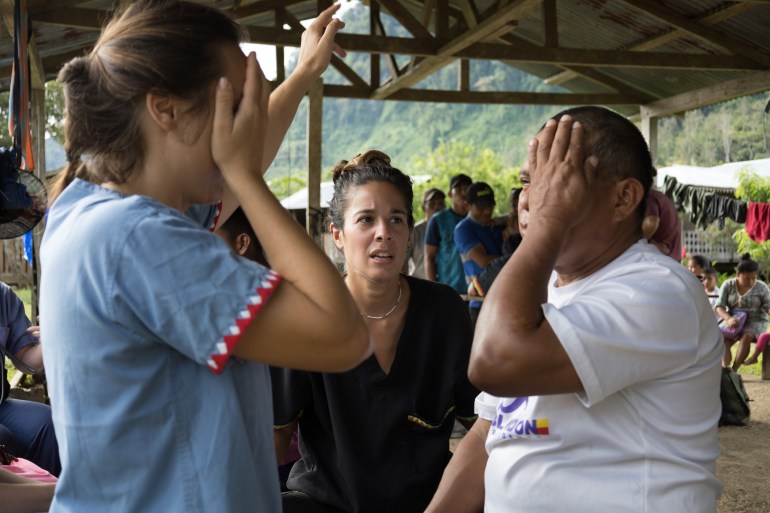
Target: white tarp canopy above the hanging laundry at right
<point x="724" y="176"/>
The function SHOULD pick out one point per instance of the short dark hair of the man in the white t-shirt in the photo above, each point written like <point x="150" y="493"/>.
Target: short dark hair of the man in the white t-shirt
<point x="619" y="145"/>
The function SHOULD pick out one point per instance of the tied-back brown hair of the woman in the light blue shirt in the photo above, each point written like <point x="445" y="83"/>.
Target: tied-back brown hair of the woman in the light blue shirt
<point x="160" y="46"/>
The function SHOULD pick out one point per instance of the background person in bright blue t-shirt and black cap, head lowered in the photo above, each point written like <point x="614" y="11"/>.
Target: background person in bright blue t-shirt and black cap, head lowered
<point x="477" y="237"/>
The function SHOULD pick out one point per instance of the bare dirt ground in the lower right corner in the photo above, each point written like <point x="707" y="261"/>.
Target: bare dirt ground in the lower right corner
<point x="744" y="466"/>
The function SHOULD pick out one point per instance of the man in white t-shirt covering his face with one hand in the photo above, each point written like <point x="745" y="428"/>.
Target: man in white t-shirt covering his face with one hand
<point x="605" y="372"/>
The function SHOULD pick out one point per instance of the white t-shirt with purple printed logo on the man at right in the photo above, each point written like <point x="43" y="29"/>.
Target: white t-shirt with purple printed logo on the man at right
<point x="642" y="437"/>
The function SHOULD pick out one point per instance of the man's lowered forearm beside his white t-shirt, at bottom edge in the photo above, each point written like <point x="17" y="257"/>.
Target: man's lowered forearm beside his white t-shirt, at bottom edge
<point x="462" y="486"/>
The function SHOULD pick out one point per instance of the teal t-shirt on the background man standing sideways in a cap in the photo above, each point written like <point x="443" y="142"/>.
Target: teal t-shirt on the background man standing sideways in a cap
<point x="440" y="232"/>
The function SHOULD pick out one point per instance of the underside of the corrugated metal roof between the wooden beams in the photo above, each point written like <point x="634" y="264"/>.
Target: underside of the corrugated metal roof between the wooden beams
<point x="613" y="26"/>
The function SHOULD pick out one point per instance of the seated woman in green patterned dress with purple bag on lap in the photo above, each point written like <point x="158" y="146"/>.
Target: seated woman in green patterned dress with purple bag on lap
<point x="744" y="292"/>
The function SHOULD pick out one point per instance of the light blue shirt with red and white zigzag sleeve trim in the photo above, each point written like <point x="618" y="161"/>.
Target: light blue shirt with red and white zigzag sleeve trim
<point x="141" y="306"/>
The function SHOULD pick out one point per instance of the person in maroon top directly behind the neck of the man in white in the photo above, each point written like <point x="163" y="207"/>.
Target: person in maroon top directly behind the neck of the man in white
<point x="661" y="225"/>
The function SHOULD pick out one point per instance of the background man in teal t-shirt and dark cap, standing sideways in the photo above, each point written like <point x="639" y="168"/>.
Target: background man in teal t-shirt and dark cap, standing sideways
<point x="442" y="260"/>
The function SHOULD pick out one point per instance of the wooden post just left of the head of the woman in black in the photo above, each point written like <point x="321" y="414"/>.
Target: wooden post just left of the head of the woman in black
<point x="313" y="221"/>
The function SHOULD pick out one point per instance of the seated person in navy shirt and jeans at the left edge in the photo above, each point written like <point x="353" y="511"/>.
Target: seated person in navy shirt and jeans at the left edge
<point x="26" y="428"/>
